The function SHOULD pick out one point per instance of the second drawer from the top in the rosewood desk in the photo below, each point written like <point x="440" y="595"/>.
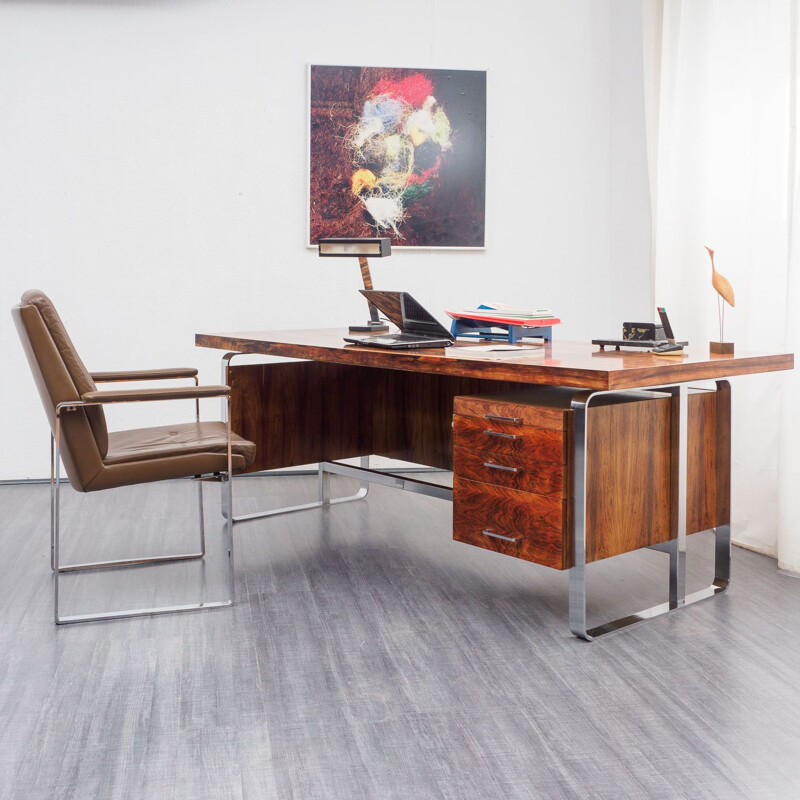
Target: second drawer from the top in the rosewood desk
<point x="494" y="436"/>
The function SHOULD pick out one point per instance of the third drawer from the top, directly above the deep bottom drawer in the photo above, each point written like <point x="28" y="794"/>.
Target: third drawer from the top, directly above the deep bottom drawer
<point x="511" y="471"/>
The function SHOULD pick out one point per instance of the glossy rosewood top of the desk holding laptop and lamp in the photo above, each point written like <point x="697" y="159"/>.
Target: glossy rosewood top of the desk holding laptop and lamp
<point x="575" y="364"/>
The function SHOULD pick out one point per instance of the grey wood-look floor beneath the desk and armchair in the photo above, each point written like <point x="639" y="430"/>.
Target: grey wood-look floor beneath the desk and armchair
<point x="369" y="656"/>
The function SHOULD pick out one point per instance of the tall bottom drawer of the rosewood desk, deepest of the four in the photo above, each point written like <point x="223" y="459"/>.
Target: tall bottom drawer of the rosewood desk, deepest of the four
<point x="519" y="524"/>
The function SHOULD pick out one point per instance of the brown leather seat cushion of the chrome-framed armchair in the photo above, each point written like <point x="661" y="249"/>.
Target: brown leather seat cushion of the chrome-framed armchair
<point x="174" y="440"/>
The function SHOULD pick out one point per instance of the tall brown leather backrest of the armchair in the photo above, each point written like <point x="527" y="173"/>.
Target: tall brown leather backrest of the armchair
<point x="60" y="376"/>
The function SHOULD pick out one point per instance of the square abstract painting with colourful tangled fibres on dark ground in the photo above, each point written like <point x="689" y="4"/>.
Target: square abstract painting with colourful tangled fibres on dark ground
<point x="398" y="153"/>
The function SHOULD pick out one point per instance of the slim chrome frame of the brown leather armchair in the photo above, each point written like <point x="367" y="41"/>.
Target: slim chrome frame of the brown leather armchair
<point x="55" y="534"/>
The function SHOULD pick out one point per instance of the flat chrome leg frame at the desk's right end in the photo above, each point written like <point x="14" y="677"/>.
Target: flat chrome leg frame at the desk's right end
<point x="676" y="547"/>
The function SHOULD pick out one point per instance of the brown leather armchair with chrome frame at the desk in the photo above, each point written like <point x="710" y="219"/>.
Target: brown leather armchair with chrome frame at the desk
<point x="95" y="458"/>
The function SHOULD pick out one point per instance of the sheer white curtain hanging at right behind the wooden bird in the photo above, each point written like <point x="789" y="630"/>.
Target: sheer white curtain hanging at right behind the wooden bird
<point x="721" y="79"/>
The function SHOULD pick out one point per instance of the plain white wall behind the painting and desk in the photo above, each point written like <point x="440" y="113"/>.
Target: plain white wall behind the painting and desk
<point x="153" y="173"/>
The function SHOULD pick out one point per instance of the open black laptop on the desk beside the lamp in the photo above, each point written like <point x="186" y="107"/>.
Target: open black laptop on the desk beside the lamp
<point x="418" y="328"/>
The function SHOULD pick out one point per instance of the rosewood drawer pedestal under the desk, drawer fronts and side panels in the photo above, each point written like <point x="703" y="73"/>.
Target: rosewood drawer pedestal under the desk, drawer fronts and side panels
<point x="512" y="472"/>
